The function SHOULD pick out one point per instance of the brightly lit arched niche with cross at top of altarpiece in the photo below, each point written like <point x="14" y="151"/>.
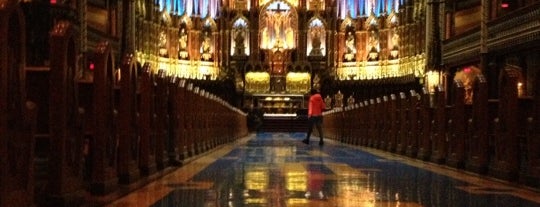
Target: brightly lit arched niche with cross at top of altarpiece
<point x="278" y="25"/>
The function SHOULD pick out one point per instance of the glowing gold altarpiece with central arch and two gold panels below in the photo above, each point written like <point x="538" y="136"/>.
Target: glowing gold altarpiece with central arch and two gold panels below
<point x="278" y="36"/>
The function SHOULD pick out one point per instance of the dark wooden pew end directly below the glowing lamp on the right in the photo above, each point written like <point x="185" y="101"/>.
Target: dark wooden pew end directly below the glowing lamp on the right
<point x="439" y="150"/>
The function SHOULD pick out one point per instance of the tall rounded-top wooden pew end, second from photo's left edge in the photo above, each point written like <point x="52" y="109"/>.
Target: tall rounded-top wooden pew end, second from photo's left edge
<point x="65" y="184"/>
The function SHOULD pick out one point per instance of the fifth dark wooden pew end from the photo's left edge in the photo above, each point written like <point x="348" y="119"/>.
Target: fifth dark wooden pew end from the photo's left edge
<point x="147" y="123"/>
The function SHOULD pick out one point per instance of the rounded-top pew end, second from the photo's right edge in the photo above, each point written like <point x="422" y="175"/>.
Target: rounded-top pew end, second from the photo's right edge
<point x="505" y="163"/>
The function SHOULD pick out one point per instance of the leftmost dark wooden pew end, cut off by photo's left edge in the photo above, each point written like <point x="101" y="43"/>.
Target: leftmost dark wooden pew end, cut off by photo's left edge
<point x="18" y="120"/>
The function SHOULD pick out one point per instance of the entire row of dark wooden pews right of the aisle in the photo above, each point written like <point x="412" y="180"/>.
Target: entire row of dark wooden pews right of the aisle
<point x="495" y="137"/>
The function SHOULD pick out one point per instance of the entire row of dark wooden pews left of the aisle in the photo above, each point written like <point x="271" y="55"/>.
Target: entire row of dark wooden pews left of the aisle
<point x="64" y="139"/>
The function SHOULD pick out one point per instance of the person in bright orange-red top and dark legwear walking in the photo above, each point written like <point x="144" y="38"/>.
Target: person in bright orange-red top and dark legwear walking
<point x="315" y="109"/>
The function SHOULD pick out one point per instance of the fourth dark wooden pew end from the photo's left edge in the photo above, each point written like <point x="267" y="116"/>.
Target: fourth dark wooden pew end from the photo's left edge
<point x="128" y="127"/>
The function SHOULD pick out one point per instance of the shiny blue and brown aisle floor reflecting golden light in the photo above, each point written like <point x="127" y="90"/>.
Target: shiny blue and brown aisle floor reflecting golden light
<point x="278" y="170"/>
